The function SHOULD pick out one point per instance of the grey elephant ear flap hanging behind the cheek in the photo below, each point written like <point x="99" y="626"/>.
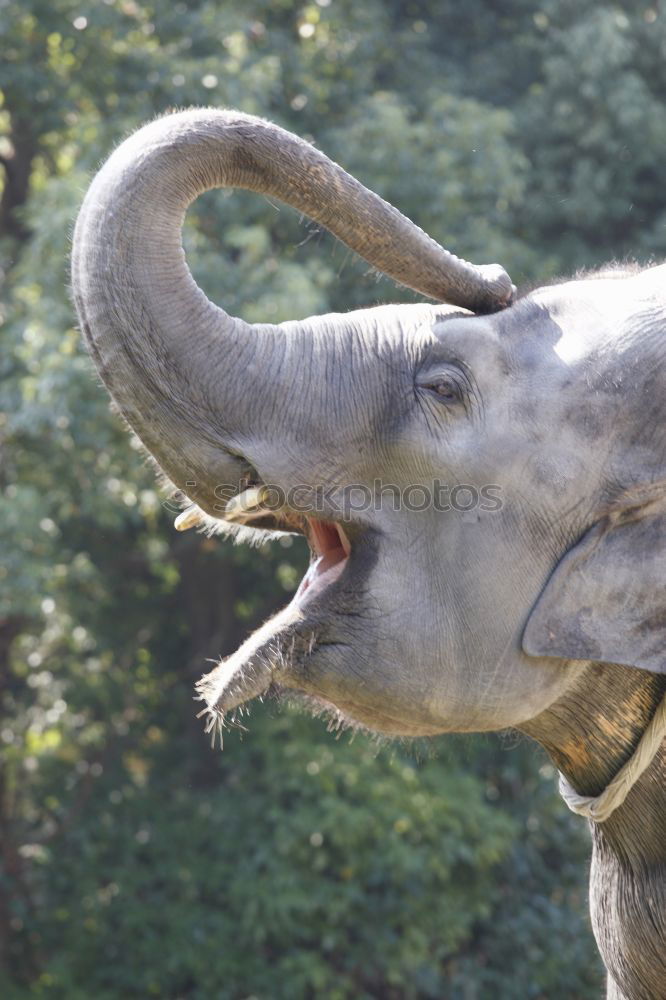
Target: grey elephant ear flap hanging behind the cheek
<point x="606" y="599"/>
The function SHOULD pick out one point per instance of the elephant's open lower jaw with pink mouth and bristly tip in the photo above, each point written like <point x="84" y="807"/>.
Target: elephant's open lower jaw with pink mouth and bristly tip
<point x="269" y="652"/>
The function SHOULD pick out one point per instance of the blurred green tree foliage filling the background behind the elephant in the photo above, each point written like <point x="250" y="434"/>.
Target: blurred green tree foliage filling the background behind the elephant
<point x="135" y="862"/>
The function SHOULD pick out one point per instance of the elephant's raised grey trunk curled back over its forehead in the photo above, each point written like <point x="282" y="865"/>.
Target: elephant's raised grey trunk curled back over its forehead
<point x="173" y="361"/>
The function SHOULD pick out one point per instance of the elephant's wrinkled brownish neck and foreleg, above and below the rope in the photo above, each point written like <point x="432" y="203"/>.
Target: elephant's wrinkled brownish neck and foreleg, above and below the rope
<point x="589" y="734"/>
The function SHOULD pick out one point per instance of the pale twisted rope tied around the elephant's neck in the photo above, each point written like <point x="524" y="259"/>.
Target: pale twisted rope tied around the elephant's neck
<point x="599" y="807"/>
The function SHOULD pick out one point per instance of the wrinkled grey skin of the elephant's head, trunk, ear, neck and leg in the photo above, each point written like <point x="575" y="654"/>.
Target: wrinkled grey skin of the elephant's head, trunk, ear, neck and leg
<point x="533" y="616"/>
